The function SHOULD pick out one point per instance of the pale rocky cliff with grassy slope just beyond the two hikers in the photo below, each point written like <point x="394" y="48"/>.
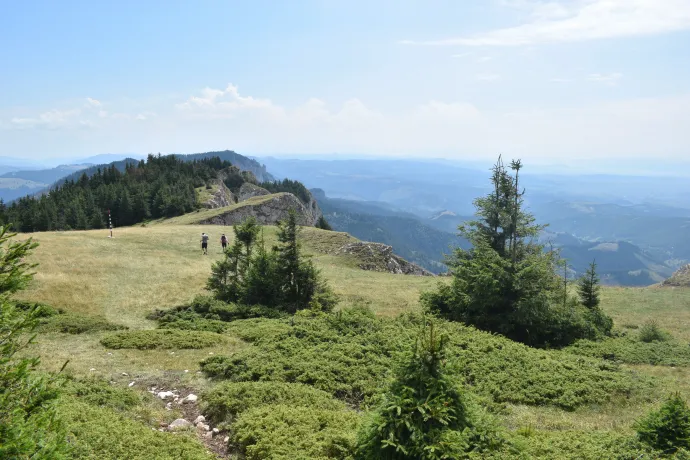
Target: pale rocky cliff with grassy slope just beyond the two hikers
<point x="268" y="211"/>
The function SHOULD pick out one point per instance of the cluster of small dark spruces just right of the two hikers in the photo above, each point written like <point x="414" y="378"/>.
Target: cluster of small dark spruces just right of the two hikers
<point x="279" y="279"/>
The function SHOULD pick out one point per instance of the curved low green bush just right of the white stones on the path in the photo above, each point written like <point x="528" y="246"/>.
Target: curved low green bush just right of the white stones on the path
<point x="224" y="402"/>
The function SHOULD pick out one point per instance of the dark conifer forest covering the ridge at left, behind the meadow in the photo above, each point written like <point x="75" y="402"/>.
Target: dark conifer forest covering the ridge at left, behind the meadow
<point x="163" y="186"/>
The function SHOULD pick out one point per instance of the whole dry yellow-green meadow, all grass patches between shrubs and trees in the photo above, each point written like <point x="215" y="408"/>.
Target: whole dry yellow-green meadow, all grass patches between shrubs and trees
<point x="160" y="266"/>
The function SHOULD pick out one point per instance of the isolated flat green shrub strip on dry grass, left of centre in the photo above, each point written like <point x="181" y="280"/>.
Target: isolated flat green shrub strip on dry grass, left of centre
<point x="161" y="339"/>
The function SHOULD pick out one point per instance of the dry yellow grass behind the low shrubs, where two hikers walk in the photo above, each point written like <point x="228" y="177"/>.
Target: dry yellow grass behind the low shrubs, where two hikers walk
<point x="160" y="266"/>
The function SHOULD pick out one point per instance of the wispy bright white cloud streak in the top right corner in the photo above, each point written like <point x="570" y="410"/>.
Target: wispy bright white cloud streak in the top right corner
<point x="580" y="20"/>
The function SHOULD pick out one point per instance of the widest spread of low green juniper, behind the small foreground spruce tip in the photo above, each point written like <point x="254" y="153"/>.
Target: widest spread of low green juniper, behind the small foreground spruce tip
<point x="349" y="355"/>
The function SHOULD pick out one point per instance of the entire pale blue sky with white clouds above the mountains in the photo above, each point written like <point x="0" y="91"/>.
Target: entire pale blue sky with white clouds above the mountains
<point x="546" y="81"/>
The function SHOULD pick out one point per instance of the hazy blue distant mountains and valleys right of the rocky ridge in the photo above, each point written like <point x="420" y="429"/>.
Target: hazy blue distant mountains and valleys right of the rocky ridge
<point x="636" y="227"/>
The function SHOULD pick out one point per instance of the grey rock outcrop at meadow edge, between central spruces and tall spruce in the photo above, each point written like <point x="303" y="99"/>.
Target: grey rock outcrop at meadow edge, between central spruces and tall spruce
<point x="379" y="257"/>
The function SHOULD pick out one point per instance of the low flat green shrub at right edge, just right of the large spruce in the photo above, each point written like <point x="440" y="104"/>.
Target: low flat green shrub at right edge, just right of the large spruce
<point x="630" y="351"/>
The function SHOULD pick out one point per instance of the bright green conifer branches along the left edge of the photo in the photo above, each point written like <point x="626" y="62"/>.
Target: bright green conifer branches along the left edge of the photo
<point x="29" y="426"/>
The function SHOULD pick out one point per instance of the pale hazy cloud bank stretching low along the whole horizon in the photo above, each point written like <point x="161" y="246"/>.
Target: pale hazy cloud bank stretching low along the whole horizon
<point x="218" y="119"/>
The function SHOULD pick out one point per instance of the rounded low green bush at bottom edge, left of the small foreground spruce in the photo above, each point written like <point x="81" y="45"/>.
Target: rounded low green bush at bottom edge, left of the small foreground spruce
<point x="283" y="432"/>
